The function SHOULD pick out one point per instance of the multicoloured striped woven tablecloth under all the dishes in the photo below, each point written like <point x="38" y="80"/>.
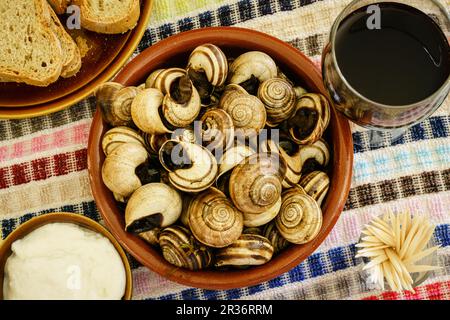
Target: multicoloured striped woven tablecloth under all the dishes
<point x="43" y="165"/>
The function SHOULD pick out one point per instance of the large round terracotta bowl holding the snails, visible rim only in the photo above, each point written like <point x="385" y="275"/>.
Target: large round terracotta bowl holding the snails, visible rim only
<point x="174" y="51"/>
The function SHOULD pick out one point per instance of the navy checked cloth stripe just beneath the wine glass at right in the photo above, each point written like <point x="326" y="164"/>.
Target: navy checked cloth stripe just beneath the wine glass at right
<point x="431" y="128"/>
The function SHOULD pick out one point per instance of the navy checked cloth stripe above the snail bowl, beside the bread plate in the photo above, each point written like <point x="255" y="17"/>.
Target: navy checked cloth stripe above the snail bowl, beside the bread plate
<point x="225" y="15"/>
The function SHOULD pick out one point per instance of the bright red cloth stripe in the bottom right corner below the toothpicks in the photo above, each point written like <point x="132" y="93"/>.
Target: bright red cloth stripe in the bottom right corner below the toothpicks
<point x="433" y="291"/>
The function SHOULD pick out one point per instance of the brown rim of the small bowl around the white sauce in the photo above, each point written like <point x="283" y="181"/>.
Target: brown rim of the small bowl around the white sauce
<point x="29" y="226"/>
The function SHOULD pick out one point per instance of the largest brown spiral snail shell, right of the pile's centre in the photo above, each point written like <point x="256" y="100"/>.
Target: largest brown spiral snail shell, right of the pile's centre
<point x="255" y="184"/>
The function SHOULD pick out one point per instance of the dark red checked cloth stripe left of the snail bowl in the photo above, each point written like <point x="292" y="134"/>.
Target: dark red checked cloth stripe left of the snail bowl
<point x="44" y="168"/>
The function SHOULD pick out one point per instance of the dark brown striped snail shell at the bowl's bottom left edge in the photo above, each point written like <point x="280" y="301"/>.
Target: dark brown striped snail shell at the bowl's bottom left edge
<point x="179" y="248"/>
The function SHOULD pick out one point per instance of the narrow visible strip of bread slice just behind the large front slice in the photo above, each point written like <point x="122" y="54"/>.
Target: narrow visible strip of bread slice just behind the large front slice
<point x="71" y="53"/>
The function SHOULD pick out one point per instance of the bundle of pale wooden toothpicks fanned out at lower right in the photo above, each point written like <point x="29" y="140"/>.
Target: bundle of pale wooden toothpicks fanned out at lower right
<point x="393" y="244"/>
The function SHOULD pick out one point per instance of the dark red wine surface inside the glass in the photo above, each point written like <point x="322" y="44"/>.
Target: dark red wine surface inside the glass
<point x="403" y="62"/>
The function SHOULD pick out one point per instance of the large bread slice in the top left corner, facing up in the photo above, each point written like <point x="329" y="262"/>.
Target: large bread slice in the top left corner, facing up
<point x="30" y="51"/>
